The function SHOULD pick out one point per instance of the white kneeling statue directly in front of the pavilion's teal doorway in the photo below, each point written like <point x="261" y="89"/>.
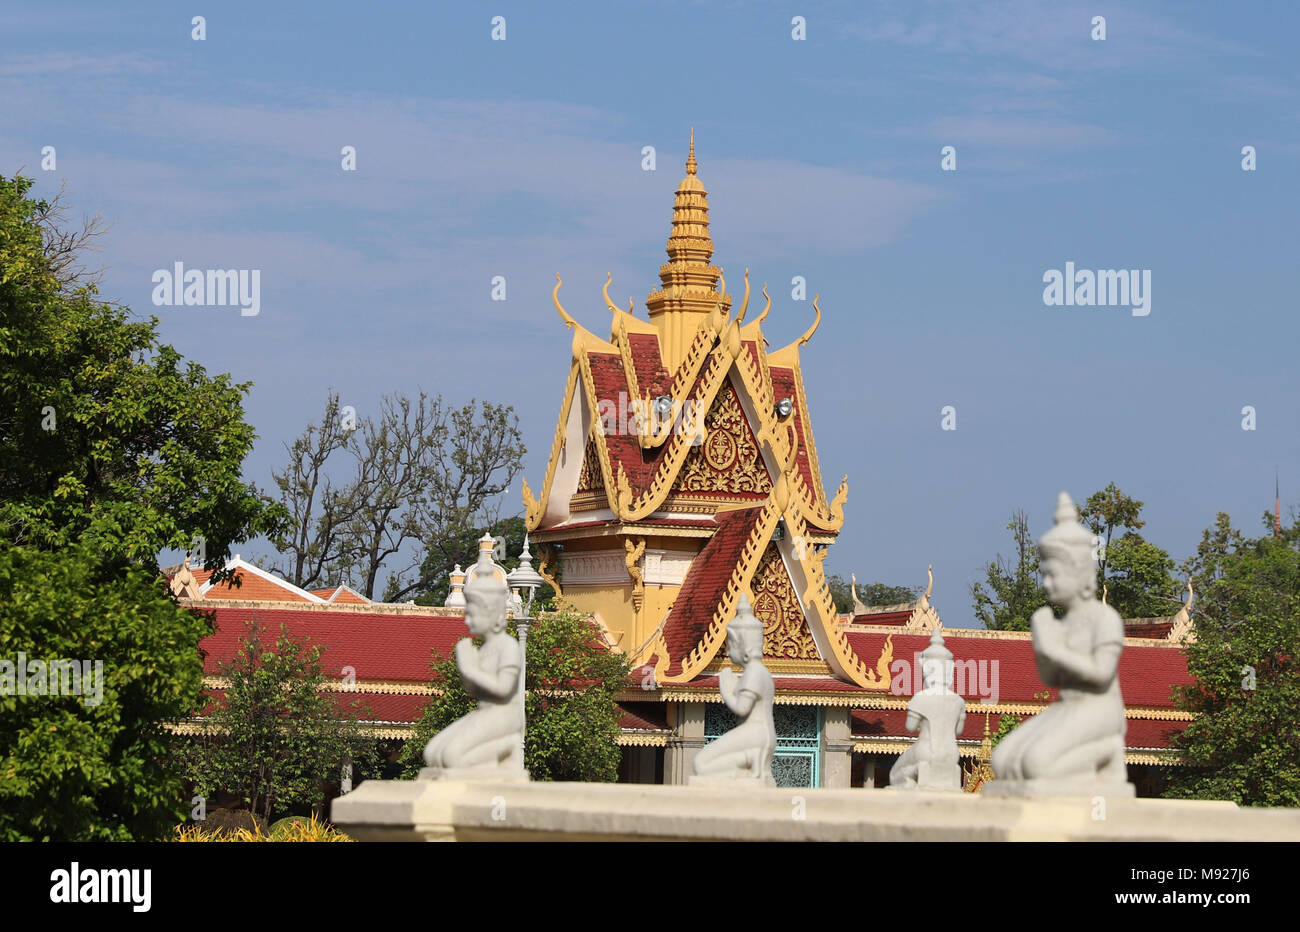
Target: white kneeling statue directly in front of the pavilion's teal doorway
<point x="744" y="755"/>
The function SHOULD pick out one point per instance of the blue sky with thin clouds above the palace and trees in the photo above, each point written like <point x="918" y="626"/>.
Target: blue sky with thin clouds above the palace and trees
<point x="822" y="159"/>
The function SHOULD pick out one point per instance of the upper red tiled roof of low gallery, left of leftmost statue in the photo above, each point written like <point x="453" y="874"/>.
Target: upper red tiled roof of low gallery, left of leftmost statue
<point x="379" y="647"/>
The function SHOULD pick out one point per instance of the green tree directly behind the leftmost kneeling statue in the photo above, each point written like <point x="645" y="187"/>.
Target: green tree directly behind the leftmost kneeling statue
<point x="573" y="680"/>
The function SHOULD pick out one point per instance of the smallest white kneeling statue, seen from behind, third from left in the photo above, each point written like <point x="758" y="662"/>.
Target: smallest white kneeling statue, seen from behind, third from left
<point x="939" y="716"/>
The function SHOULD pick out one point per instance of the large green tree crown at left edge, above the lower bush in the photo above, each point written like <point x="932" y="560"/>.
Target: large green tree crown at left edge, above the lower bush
<point x="106" y="435"/>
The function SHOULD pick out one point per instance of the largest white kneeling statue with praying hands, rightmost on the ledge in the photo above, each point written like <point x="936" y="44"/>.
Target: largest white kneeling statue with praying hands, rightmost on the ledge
<point x="1076" y="747"/>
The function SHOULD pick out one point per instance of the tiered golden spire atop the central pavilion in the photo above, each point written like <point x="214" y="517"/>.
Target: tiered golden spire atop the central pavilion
<point x="690" y="281"/>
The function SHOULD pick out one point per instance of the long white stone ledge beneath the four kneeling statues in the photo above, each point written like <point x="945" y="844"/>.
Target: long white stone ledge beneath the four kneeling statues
<point x="484" y="810"/>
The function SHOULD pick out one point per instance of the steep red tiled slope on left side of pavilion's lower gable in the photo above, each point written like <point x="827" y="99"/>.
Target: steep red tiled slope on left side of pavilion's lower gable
<point x="705" y="584"/>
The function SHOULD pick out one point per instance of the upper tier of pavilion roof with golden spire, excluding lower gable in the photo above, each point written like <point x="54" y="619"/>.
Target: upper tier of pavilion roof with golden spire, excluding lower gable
<point x="631" y="419"/>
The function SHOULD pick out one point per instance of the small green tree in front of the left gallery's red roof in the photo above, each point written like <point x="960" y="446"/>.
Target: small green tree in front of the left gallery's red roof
<point x="279" y="739"/>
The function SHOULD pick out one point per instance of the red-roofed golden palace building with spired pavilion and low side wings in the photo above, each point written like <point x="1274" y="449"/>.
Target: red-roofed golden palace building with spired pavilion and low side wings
<point x="684" y="472"/>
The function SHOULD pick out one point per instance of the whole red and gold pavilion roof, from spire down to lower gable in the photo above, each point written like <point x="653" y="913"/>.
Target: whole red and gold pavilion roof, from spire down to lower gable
<point x="688" y="413"/>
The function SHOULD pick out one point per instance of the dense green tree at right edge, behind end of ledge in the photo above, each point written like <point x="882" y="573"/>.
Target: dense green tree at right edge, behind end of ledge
<point x="1245" y="744"/>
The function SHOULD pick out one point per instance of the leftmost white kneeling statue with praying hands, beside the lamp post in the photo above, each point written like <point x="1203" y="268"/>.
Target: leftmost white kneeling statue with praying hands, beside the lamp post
<point x="489" y="742"/>
